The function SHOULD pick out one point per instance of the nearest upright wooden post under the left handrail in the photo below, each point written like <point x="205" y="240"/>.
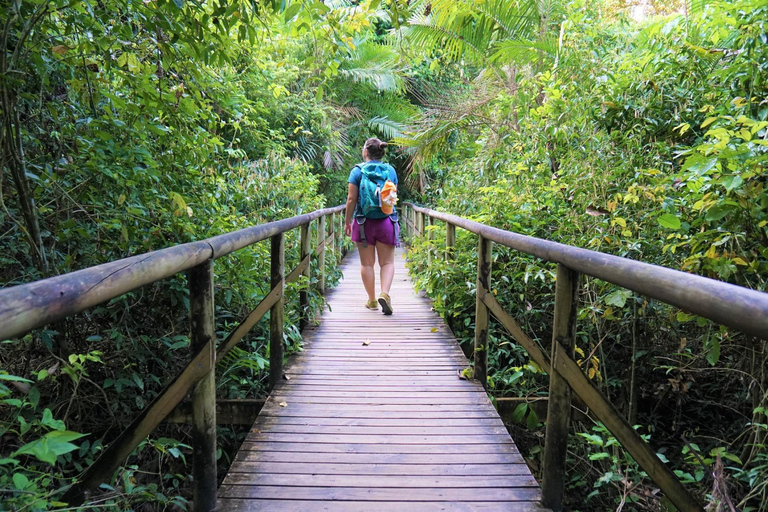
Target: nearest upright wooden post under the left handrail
<point x="203" y="337"/>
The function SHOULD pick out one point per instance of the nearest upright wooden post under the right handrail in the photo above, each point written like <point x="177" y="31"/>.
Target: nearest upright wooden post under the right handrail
<point x="558" y="412"/>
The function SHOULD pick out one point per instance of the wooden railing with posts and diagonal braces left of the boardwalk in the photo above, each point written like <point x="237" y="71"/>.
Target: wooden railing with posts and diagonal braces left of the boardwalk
<point x="34" y="305"/>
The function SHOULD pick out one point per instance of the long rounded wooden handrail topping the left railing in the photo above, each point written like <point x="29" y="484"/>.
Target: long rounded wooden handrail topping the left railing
<point x="33" y="305"/>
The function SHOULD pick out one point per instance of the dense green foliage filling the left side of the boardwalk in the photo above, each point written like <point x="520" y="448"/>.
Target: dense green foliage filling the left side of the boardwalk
<point x="137" y="126"/>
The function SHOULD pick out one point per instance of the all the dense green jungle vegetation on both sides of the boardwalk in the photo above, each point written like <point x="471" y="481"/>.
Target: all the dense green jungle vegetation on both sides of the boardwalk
<point x="637" y="129"/>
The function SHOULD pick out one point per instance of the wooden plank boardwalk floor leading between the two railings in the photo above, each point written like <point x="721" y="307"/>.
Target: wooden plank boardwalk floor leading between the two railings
<point x="373" y="417"/>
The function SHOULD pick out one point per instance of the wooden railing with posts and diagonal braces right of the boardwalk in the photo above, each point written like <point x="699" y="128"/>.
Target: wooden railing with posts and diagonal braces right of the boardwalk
<point x="743" y="309"/>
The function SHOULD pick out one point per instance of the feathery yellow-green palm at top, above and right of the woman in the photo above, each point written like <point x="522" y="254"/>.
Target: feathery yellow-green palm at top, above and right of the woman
<point x="501" y="38"/>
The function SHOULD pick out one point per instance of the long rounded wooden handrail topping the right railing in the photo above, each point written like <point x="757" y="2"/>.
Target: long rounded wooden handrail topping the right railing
<point x="728" y="304"/>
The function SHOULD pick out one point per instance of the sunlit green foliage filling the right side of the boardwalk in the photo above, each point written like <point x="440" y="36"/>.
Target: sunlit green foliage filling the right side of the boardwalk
<point x="643" y="141"/>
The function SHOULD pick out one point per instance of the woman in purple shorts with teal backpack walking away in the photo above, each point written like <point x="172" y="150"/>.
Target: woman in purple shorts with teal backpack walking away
<point x="372" y="222"/>
